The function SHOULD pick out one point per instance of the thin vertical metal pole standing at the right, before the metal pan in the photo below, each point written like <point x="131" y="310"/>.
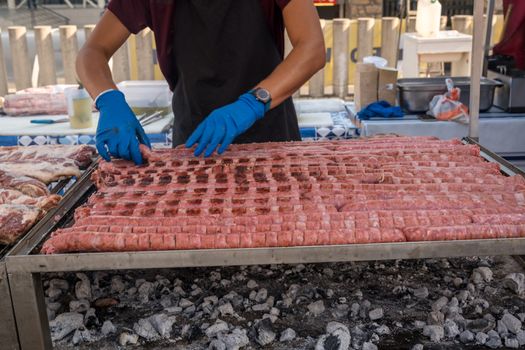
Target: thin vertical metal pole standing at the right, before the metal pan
<point x="476" y="69"/>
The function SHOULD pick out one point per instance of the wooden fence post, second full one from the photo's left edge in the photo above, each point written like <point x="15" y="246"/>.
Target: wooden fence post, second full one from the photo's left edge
<point x="46" y="56"/>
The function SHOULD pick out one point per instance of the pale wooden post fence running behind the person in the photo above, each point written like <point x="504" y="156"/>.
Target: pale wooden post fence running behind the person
<point x="347" y="42"/>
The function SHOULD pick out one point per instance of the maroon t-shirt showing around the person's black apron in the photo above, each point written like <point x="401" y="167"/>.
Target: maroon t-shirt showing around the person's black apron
<point x="158" y="15"/>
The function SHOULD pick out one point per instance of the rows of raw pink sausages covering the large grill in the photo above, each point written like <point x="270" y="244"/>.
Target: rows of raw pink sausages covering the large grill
<point x="376" y="190"/>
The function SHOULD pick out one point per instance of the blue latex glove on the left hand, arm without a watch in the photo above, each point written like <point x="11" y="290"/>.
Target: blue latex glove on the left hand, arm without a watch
<point x="119" y="130"/>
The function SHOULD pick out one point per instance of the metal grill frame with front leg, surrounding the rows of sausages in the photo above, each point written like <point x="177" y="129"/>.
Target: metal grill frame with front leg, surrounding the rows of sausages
<point x="25" y="265"/>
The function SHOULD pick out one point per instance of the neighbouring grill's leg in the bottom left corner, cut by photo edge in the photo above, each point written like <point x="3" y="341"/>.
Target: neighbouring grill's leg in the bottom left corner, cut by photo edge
<point x="8" y="336"/>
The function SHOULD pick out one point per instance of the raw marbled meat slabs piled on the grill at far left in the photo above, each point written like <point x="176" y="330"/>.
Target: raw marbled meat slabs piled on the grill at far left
<point x="25" y="173"/>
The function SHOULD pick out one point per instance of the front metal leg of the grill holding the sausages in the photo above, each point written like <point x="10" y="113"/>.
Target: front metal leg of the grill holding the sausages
<point x="30" y="311"/>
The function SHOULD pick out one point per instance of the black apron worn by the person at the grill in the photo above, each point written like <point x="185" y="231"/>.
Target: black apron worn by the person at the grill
<point x="222" y="49"/>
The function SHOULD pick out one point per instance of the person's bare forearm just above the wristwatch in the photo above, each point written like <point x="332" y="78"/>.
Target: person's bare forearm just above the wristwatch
<point x="298" y="67"/>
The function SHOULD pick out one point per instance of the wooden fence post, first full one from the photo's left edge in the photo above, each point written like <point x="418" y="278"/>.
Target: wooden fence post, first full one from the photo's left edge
<point x="20" y="57"/>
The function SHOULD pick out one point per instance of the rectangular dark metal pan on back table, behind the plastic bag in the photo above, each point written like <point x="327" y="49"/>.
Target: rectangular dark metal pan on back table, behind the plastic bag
<point x="414" y="94"/>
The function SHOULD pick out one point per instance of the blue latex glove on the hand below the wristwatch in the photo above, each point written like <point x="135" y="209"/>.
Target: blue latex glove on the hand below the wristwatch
<point x="224" y="124"/>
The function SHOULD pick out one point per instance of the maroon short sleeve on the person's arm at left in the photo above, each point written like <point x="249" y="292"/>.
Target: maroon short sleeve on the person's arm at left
<point x="134" y="14"/>
